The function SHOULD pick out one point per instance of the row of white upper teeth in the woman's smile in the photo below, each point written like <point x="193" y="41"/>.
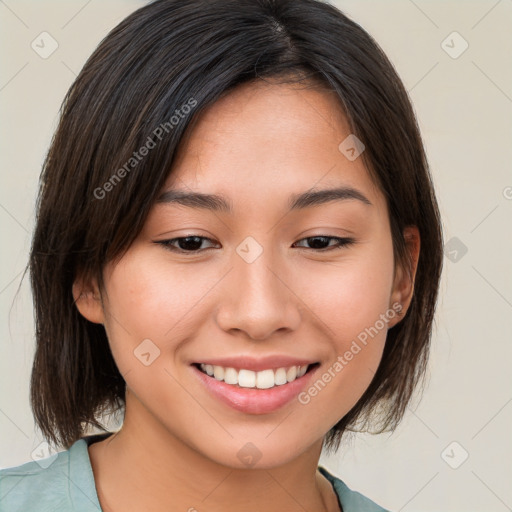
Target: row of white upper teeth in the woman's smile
<point x="248" y="379"/>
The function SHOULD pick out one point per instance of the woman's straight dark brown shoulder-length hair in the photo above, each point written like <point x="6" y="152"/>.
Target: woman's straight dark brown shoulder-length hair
<point x="164" y="56"/>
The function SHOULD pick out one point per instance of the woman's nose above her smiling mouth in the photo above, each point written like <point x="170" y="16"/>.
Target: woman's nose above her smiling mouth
<point x="257" y="298"/>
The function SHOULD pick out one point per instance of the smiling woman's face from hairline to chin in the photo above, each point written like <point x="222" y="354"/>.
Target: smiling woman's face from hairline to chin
<point x="313" y="284"/>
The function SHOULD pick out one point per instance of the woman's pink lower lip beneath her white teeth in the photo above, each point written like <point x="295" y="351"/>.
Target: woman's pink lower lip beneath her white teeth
<point x="254" y="400"/>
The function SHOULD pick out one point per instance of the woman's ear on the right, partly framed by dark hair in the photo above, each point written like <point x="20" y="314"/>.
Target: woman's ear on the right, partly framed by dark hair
<point x="403" y="286"/>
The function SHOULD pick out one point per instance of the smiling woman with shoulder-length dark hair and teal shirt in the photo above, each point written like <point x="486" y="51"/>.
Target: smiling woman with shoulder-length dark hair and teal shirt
<point x="238" y="246"/>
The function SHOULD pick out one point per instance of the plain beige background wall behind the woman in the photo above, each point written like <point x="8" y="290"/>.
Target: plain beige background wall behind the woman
<point x="464" y="106"/>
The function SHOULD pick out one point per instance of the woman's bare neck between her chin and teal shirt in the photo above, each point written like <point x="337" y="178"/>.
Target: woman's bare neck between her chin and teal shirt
<point x="145" y="467"/>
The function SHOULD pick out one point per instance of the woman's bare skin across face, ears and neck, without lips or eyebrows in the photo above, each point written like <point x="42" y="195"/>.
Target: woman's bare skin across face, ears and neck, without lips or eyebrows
<point x="177" y="449"/>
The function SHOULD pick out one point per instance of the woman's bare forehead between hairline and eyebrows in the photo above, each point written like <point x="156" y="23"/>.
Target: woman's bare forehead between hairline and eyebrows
<point x="267" y="141"/>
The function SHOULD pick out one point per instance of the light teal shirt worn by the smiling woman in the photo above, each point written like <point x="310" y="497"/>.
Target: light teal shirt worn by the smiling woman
<point x="67" y="484"/>
